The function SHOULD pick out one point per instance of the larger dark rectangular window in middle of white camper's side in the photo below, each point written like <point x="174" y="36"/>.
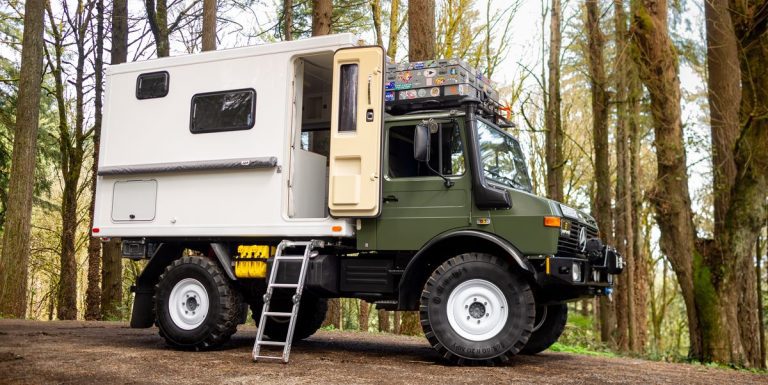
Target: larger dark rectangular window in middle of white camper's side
<point x="223" y="111"/>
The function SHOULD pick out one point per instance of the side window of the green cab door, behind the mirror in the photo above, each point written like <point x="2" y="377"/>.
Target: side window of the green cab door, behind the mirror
<point x="446" y="152"/>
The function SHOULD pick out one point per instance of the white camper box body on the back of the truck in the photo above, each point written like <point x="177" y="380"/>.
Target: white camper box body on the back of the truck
<point x="157" y="178"/>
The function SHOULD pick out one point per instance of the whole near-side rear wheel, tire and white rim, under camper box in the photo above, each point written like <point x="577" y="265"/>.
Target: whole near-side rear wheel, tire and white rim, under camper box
<point x="195" y="304"/>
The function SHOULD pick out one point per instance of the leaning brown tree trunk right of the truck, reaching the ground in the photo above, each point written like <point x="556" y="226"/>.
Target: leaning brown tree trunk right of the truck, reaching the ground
<point x="658" y="67"/>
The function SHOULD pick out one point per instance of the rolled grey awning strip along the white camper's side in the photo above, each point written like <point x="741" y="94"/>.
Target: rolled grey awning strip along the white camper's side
<point x="197" y="165"/>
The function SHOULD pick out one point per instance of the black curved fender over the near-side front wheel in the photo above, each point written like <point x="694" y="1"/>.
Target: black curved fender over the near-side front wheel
<point x="447" y="245"/>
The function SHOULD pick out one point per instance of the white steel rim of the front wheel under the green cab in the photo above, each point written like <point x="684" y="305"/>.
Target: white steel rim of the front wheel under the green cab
<point x="477" y="310"/>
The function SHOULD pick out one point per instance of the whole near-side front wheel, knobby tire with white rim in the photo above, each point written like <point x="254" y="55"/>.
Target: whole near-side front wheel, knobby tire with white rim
<point x="474" y="309"/>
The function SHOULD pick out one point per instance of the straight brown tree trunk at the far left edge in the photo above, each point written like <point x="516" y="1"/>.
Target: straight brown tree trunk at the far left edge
<point x="15" y="252"/>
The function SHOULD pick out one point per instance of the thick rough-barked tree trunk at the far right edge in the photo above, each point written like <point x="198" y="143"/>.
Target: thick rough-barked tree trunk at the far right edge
<point x="746" y="211"/>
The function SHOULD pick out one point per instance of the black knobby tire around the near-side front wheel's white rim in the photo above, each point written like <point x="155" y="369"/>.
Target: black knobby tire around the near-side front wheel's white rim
<point x="449" y="344"/>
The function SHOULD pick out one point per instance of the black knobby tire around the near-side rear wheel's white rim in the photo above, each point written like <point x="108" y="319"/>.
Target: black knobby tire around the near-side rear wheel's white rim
<point x="224" y="310"/>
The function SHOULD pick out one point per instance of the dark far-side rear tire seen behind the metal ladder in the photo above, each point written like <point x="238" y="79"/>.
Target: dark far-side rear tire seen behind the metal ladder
<point x="311" y="316"/>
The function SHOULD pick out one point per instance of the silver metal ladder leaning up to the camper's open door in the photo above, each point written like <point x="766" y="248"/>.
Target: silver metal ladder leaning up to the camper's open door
<point x="266" y="313"/>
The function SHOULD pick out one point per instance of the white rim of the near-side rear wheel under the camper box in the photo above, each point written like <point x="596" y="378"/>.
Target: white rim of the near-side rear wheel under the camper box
<point x="188" y="304"/>
